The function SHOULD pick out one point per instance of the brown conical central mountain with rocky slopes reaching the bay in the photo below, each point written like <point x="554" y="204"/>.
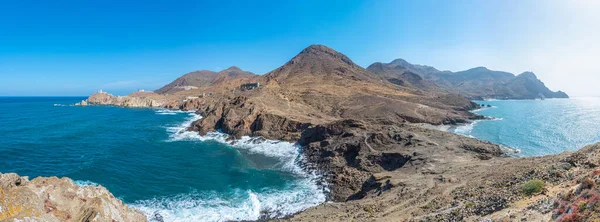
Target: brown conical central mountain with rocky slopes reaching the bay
<point x="319" y="86"/>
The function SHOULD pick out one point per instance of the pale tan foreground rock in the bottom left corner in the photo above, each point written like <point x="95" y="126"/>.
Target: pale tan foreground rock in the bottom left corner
<point x="54" y="199"/>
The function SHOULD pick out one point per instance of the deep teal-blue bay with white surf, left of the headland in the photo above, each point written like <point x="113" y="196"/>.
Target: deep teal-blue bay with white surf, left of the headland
<point x="145" y="158"/>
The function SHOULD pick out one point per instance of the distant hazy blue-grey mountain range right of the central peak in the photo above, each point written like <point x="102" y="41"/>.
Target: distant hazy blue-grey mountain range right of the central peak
<point x="475" y="83"/>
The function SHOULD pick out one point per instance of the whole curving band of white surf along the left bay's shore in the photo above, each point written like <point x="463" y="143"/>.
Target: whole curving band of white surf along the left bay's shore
<point x="306" y="190"/>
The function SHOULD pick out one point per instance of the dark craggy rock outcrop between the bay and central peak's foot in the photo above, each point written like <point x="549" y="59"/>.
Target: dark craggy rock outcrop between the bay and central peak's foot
<point x="352" y="153"/>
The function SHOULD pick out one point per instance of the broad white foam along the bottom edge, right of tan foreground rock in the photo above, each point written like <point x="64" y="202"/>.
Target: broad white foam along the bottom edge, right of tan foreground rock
<point x="242" y="205"/>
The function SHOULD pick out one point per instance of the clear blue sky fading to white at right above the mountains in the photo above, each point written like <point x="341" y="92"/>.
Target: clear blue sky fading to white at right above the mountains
<point x="77" y="47"/>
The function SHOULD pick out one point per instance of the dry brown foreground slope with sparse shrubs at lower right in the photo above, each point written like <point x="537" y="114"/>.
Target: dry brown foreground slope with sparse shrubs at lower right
<point x="468" y="190"/>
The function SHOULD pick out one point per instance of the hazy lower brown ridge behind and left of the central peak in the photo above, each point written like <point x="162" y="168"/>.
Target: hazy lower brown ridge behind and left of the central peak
<point x="203" y="78"/>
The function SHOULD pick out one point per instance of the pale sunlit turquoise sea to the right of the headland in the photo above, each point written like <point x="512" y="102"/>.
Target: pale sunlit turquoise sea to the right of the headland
<point x="539" y="127"/>
